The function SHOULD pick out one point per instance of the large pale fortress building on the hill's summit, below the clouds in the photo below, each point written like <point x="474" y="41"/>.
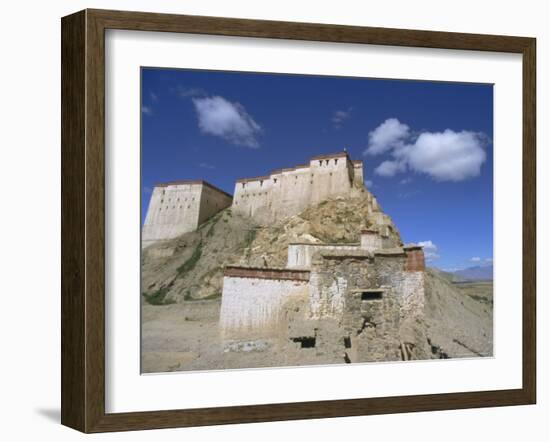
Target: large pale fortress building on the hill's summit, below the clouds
<point x="287" y="192"/>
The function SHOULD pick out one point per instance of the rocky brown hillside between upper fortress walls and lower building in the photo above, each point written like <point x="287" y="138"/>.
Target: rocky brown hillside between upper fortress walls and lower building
<point x="191" y="267"/>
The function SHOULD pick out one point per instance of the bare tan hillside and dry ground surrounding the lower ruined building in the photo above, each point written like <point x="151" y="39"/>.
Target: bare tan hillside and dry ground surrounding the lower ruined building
<point x="182" y="284"/>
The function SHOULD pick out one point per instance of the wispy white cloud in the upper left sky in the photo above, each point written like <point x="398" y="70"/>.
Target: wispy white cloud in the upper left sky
<point x="230" y="121"/>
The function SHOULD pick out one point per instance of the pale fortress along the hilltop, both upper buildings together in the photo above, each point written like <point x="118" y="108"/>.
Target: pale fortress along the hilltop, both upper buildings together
<point x="179" y="207"/>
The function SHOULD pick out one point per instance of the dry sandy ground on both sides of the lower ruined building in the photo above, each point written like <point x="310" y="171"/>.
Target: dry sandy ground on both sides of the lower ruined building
<point x="184" y="336"/>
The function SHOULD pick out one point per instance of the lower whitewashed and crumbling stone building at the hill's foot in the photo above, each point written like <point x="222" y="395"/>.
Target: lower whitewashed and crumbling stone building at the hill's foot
<point x="344" y="301"/>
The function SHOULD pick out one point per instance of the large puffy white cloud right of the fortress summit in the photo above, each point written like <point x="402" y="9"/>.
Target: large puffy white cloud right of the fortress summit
<point x="444" y="156"/>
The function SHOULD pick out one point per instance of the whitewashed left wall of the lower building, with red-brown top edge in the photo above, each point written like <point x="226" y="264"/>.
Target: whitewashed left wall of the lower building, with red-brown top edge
<point x="253" y="298"/>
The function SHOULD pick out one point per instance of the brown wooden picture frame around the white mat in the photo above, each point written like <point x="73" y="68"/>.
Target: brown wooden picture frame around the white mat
<point x="83" y="218"/>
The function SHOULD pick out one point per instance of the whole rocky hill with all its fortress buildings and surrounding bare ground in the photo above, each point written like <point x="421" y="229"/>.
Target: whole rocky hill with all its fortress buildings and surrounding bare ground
<point x="299" y="267"/>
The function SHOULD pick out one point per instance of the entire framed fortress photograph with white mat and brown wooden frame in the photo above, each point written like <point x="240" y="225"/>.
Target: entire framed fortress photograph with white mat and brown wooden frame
<point x="269" y="220"/>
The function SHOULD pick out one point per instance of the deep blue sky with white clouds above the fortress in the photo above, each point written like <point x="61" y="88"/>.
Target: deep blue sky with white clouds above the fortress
<point x="426" y="146"/>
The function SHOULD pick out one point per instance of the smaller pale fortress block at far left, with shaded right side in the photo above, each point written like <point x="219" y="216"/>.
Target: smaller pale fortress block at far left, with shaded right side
<point x="179" y="207"/>
